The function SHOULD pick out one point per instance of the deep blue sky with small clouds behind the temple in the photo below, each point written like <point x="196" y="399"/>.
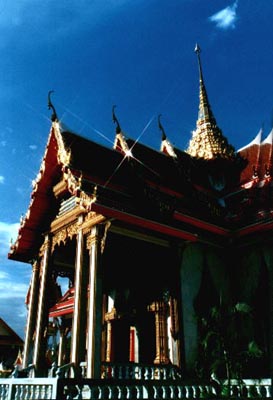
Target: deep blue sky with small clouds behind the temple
<point x="136" y="54"/>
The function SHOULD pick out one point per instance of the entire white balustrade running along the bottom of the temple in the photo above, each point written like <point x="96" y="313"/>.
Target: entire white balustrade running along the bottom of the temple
<point x="126" y="382"/>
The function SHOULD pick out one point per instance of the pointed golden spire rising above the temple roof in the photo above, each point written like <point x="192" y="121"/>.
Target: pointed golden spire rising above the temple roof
<point x="207" y="140"/>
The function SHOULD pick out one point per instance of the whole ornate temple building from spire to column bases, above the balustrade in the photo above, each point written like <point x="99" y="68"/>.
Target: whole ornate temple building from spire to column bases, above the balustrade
<point x="151" y="258"/>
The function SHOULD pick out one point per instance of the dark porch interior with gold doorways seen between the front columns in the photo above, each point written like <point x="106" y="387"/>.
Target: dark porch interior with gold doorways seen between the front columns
<point x="136" y="292"/>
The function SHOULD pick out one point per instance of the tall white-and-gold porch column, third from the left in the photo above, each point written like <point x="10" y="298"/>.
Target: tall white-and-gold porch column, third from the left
<point x="78" y="337"/>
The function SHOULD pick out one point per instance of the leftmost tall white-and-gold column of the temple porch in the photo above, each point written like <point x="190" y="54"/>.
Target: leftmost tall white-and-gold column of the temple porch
<point x="32" y="315"/>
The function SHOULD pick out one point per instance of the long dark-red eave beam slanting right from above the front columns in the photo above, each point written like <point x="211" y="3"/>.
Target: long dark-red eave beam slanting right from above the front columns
<point x="138" y="221"/>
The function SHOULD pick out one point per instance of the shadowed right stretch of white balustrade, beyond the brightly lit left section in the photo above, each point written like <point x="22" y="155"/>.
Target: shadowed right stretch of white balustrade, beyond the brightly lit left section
<point x="156" y="390"/>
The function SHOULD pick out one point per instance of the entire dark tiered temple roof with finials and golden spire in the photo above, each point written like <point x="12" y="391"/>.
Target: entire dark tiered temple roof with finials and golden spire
<point x="190" y="195"/>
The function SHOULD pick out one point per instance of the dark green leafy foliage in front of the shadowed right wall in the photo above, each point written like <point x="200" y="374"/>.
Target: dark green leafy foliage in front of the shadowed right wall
<point x="224" y="347"/>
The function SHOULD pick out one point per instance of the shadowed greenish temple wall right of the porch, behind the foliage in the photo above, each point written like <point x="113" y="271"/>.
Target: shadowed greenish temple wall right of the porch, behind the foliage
<point x="210" y="277"/>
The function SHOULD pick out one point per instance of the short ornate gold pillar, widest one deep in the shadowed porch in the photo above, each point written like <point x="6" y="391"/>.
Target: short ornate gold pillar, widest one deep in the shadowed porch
<point x="162" y="352"/>
